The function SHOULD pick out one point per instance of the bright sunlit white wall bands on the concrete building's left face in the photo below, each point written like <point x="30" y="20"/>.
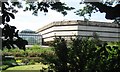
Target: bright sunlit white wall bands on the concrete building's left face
<point x="48" y="34"/>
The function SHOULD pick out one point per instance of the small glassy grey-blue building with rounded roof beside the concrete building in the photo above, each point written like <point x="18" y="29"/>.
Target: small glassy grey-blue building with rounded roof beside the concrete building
<point x="31" y="36"/>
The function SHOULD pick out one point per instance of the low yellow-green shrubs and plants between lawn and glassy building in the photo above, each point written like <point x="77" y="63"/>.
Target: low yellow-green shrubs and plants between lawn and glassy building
<point x="34" y="53"/>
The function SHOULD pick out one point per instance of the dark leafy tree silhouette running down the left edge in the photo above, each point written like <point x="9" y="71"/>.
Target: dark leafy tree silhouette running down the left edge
<point x="8" y="32"/>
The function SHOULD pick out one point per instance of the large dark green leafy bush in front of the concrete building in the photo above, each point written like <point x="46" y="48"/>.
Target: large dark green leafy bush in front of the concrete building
<point x="85" y="55"/>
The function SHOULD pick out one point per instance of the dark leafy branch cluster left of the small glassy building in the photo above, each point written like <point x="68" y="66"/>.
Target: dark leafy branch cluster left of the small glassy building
<point x="11" y="38"/>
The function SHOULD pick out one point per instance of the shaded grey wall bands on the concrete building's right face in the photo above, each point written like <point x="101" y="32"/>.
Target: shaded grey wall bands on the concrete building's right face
<point x="105" y="33"/>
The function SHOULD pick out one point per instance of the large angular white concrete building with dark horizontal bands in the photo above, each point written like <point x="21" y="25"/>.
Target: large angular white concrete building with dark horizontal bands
<point x="105" y="31"/>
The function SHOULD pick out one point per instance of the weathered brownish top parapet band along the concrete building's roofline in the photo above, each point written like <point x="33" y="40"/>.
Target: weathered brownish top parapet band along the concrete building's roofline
<point x="79" y="23"/>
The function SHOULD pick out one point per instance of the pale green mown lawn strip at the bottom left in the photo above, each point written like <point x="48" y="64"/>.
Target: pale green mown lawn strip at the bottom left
<point x="28" y="67"/>
